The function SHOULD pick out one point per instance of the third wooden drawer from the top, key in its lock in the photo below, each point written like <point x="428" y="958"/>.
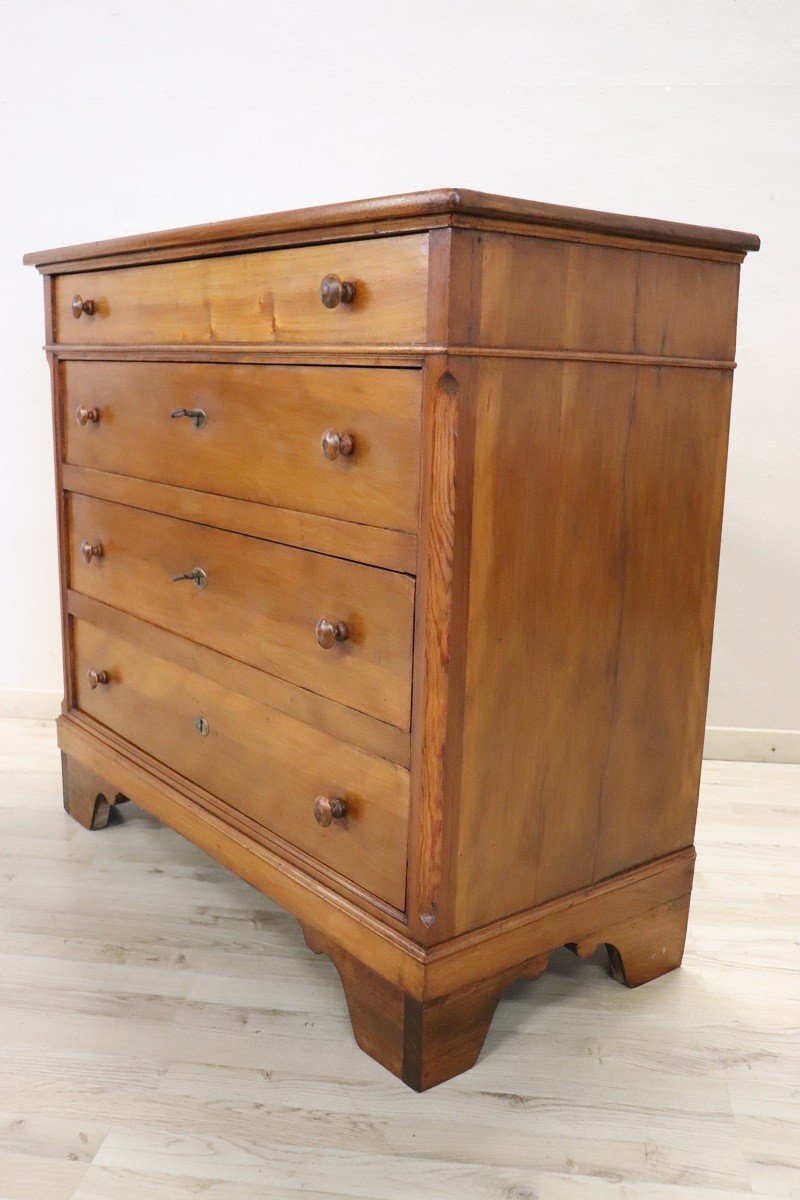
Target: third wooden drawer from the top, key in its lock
<point x="261" y="603"/>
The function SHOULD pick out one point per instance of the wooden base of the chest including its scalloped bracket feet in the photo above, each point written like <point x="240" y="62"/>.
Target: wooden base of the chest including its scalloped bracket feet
<point x="423" y="1013"/>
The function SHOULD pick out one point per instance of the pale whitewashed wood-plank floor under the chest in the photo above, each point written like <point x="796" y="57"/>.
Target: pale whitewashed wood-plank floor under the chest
<point x="165" y="1033"/>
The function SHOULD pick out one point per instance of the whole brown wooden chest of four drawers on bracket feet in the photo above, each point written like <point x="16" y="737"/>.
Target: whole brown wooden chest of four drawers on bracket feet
<point x="389" y="543"/>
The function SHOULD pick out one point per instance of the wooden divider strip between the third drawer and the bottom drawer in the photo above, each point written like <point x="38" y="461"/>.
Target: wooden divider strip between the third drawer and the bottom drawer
<point x="358" y="729"/>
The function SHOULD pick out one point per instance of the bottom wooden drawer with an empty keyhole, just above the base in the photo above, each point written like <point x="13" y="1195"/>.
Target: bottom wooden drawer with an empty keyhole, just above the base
<point x="264" y="764"/>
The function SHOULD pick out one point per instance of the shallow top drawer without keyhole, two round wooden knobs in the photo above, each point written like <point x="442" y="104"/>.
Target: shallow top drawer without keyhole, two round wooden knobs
<point x="264" y="297"/>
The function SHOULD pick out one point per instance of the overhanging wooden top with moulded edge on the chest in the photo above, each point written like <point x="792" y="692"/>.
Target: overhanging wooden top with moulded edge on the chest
<point x="412" y="206"/>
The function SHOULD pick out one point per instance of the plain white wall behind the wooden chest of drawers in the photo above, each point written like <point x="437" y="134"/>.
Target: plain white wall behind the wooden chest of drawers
<point x="119" y="118"/>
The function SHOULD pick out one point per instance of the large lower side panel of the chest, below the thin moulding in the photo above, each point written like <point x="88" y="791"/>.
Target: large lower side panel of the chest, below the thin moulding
<point x="597" y="519"/>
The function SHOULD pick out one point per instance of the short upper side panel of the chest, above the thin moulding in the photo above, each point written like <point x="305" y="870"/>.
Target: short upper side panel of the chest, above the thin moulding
<point x="552" y="296"/>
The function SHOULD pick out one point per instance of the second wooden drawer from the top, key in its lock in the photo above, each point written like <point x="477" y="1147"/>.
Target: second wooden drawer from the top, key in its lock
<point x="261" y="437"/>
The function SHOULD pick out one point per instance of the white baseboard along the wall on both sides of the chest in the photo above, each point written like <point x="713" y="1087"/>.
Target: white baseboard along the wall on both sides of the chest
<point x="721" y="742"/>
